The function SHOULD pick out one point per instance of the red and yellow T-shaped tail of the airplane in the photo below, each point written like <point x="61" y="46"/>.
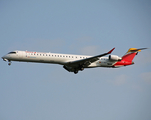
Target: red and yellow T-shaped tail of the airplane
<point x="127" y="59"/>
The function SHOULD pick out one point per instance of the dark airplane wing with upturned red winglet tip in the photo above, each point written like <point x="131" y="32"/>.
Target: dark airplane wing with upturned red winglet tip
<point x="86" y="62"/>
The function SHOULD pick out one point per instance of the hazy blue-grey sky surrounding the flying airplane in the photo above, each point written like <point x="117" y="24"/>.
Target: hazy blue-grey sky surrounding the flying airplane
<point x="32" y="91"/>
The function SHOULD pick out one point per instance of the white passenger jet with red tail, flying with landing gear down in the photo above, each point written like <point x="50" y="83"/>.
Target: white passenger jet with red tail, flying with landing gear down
<point x="74" y="63"/>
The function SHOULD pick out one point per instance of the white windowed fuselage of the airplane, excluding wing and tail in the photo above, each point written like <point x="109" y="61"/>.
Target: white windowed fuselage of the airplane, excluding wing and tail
<point x="55" y="58"/>
